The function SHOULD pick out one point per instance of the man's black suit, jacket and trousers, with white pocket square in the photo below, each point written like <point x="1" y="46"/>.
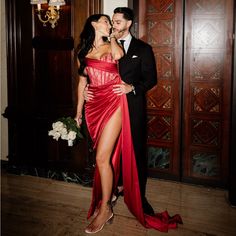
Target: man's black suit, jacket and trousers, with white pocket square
<point x="138" y="67"/>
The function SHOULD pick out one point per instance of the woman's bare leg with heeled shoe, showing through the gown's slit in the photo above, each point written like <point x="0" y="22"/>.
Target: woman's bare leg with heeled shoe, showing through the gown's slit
<point x="104" y="150"/>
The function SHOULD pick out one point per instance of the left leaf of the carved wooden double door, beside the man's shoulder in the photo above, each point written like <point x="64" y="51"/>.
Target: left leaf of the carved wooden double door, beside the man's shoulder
<point x="160" y="24"/>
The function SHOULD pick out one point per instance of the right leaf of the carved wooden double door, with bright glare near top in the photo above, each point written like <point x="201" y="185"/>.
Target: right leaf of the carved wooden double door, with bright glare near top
<point x="207" y="90"/>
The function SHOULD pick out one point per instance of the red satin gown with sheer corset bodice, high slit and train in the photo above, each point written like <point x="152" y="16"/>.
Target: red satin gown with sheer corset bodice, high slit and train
<point x="103" y="74"/>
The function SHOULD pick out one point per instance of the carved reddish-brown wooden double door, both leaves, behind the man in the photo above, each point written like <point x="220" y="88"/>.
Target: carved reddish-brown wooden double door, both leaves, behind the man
<point x="188" y="111"/>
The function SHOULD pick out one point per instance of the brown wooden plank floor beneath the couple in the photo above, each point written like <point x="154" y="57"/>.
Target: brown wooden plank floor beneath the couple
<point x="45" y="207"/>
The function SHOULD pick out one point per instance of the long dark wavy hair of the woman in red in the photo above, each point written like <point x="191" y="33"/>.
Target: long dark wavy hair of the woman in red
<point x="87" y="37"/>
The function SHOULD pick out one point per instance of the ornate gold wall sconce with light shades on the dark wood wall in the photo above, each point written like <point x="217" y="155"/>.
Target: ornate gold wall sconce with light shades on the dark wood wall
<point x="52" y="14"/>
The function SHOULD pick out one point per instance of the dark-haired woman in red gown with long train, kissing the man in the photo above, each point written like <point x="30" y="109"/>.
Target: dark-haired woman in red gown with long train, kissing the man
<point x="108" y="123"/>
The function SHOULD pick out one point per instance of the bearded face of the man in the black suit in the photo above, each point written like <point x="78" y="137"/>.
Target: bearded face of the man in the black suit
<point x="120" y="24"/>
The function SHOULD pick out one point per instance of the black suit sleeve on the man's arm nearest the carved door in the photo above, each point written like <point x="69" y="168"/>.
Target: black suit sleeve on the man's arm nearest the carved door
<point x="148" y="70"/>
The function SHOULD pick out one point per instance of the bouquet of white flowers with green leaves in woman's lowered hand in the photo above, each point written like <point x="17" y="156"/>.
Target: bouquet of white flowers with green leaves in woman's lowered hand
<point x="66" y="128"/>
